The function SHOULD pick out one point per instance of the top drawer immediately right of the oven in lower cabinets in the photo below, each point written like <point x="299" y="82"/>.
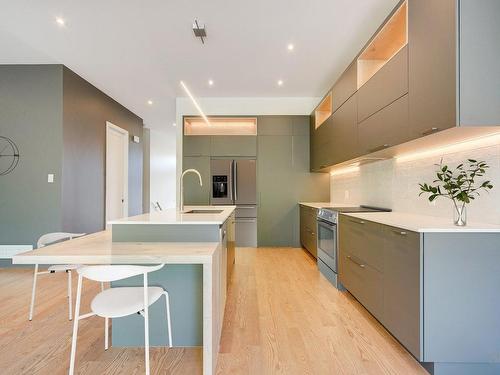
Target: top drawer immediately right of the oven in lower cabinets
<point x="363" y="239"/>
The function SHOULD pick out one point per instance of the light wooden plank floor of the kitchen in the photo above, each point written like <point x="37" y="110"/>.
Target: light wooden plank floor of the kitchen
<point x="282" y="317"/>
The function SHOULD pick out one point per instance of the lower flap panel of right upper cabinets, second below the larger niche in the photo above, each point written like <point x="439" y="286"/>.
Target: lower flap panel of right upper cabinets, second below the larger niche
<point x="386" y="128"/>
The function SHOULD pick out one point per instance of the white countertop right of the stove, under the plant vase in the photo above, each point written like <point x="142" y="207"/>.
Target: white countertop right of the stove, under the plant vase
<point x="423" y="223"/>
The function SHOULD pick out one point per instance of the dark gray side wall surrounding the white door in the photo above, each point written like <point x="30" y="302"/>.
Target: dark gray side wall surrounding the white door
<point x="85" y="112"/>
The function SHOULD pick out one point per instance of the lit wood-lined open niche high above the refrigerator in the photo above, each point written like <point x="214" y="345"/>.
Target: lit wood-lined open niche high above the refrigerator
<point x="220" y="126"/>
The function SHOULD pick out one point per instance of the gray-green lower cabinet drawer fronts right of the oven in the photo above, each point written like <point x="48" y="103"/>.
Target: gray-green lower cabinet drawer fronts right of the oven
<point x="380" y="266"/>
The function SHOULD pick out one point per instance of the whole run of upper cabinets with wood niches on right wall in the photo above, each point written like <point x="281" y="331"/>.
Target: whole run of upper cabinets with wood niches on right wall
<point x="431" y="66"/>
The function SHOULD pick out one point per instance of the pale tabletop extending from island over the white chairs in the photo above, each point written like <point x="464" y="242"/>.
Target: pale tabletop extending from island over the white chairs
<point x="98" y="248"/>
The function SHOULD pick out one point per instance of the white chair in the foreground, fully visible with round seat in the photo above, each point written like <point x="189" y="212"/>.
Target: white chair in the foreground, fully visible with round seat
<point x="120" y="301"/>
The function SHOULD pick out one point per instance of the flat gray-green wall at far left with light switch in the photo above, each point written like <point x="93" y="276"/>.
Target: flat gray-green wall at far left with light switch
<point x="31" y="115"/>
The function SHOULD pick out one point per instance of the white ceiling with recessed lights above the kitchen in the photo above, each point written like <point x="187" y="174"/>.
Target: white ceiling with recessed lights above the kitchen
<point x="139" y="50"/>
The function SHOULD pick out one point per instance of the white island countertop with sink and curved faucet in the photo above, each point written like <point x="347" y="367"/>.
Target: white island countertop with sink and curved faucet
<point x="174" y="216"/>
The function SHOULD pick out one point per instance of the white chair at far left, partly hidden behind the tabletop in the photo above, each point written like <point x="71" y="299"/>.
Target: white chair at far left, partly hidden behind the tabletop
<point x="45" y="240"/>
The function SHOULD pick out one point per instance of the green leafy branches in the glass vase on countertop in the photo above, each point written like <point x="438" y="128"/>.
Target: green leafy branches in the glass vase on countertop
<point x="459" y="184"/>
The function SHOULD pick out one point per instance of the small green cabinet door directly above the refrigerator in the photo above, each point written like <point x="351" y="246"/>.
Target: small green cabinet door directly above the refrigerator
<point x="233" y="145"/>
